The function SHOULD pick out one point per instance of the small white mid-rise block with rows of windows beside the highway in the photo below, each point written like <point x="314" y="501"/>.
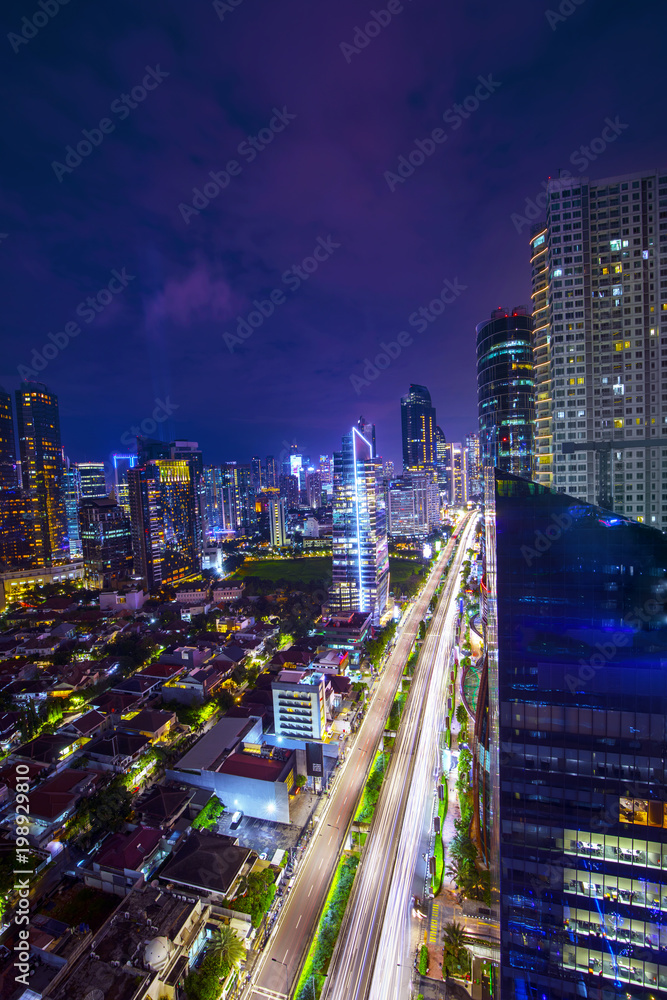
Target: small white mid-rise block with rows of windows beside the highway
<point x="298" y="705"/>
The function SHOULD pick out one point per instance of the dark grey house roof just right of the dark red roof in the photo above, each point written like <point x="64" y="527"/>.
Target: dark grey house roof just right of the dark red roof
<point x="206" y="861"/>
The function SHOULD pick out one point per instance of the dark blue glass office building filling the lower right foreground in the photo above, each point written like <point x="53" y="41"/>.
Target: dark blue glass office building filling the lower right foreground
<point x="571" y="747"/>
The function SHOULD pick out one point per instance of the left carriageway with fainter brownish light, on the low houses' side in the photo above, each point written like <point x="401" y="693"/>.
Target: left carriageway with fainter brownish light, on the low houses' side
<point x="280" y="961"/>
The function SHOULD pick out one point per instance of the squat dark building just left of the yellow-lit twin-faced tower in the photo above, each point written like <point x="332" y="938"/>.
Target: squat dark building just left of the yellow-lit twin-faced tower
<point x="106" y="541"/>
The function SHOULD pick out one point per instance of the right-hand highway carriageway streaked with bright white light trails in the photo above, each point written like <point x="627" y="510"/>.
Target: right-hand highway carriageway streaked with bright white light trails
<point x="373" y="957"/>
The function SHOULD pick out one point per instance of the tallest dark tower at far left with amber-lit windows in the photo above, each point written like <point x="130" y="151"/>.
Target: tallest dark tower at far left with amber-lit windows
<point x="38" y="425"/>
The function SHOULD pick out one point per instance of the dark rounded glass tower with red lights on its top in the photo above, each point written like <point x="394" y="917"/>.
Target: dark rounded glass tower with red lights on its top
<point x="505" y="391"/>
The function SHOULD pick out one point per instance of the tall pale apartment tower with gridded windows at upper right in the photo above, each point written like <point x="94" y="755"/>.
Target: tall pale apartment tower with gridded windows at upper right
<point x="600" y="310"/>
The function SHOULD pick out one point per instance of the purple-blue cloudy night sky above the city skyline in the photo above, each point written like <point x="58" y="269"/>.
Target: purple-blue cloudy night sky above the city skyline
<point x="332" y="116"/>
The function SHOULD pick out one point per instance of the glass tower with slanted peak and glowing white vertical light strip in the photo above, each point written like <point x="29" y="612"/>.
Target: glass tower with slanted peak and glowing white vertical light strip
<point x="360" y="553"/>
